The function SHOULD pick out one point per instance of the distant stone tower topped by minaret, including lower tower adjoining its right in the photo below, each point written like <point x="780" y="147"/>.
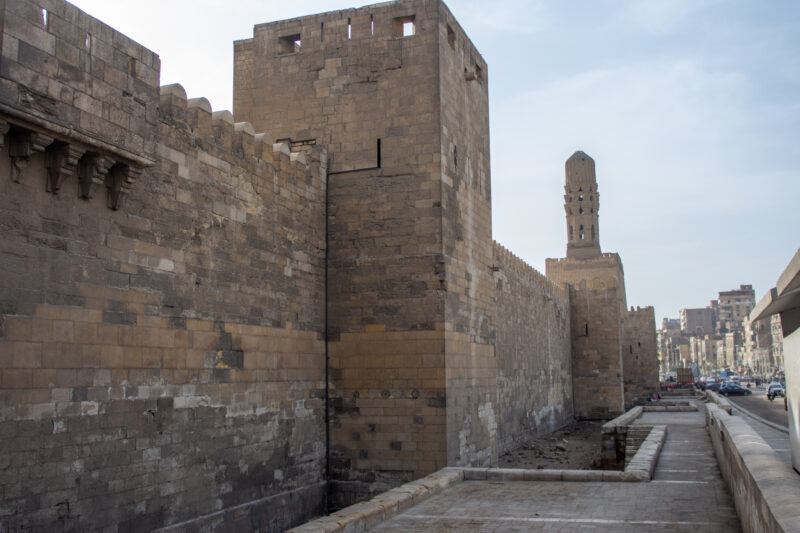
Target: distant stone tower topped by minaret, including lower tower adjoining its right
<point x="613" y="348"/>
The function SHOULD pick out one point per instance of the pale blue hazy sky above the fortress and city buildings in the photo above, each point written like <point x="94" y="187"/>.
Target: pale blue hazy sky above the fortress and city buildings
<point x="690" y="108"/>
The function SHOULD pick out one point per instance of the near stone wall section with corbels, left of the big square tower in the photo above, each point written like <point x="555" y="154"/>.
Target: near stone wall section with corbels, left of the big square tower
<point x="161" y="340"/>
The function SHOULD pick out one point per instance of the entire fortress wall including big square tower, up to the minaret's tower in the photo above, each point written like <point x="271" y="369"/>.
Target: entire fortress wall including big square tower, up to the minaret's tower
<point x="176" y="287"/>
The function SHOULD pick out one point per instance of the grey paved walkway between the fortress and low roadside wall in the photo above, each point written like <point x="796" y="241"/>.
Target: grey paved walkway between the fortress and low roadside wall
<point x="686" y="494"/>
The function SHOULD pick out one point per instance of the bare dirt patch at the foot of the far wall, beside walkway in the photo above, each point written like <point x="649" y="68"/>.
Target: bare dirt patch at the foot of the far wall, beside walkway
<point x="574" y="447"/>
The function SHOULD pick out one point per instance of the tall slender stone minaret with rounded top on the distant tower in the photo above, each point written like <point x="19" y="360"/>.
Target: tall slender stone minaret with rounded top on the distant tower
<point x="582" y="202"/>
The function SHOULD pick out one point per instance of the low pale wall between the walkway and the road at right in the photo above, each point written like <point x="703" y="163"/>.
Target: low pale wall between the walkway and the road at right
<point x="766" y="491"/>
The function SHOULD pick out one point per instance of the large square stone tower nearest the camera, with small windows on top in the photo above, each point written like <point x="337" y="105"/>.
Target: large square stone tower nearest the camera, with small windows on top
<point x="398" y="94"/>
